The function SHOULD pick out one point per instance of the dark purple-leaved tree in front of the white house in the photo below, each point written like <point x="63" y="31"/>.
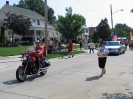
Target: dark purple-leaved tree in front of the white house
<point x="17" y="24"/>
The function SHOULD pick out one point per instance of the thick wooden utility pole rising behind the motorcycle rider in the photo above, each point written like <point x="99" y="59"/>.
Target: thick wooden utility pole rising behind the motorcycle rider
<point x="45" y="26"/>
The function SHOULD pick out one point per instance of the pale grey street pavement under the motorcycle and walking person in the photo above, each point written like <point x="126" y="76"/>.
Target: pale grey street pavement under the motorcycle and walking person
<point x="73" y="78"/>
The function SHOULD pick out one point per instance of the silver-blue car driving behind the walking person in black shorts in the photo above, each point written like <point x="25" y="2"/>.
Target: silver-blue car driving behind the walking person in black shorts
<point x="115" y="47"/>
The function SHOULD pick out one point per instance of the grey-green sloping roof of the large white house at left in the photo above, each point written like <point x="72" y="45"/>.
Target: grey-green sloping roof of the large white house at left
<point x="26" y="12"/>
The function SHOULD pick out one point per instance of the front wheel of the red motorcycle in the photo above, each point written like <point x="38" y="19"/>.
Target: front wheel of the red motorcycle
<point x="20" y="74"/>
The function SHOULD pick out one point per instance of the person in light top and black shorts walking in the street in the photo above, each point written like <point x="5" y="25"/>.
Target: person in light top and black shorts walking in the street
<point x="102" y="57"/>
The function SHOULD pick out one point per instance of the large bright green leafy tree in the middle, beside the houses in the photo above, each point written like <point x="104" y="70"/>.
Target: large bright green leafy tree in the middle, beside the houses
<point x="71" y="25"/>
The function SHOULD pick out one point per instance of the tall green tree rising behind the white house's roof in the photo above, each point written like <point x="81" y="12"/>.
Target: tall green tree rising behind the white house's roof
<point x="38" y="6"/>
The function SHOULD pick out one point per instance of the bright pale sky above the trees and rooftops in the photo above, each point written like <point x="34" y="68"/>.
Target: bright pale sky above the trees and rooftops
<point x="92" y="10"/>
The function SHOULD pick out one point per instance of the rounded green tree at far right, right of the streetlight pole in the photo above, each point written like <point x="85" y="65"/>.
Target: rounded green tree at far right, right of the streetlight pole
<point x="122" y="30"/>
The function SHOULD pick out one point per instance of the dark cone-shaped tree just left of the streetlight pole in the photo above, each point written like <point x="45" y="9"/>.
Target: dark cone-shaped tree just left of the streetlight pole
<point x="103" y="31"/>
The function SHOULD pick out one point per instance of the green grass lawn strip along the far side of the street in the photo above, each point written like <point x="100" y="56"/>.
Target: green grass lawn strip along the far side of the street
<point x="11" y="51"/>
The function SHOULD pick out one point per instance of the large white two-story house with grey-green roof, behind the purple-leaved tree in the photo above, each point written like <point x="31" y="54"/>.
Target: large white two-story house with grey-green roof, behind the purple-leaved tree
<point x="37" y="20"/>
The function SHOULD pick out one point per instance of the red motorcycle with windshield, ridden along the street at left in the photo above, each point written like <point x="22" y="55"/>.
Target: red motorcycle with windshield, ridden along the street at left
<point x="31" y="65"/>
